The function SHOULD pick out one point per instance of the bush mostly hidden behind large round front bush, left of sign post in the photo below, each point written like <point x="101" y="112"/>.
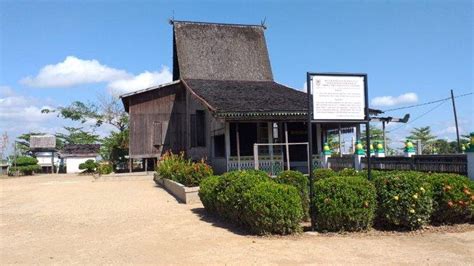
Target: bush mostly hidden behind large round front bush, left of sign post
<point x="300" y="182"/>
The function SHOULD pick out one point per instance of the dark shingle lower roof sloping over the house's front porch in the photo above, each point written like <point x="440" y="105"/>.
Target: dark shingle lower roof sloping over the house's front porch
<point x="249" y="98"/>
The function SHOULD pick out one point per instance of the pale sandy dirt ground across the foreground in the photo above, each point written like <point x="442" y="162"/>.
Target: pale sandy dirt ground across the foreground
<point x="74" y="219"/>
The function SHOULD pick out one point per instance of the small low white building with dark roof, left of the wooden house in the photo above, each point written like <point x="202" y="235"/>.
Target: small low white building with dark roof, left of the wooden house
<point x="75" y="154"/>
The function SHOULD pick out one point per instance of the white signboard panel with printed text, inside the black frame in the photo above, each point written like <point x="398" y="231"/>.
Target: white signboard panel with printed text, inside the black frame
<point x="338" y="97"/>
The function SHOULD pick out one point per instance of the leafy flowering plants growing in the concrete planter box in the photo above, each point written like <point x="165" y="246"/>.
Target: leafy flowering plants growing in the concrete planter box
<point x="177" y="168"/>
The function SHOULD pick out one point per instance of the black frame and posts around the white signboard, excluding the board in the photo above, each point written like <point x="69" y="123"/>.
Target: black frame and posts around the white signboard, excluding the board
<point x="310" y="122"/>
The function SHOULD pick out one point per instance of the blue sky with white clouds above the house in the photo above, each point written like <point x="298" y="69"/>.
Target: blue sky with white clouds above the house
<point x="413" y="51"/>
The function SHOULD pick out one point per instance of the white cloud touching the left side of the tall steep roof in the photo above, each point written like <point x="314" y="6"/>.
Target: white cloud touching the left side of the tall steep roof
<point x="140" y="81"/>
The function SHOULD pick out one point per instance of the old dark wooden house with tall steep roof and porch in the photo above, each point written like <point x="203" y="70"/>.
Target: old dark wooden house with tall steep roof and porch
<point x="222" y="100"/>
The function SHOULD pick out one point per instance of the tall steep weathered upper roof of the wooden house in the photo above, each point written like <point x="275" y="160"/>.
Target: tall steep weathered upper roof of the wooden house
<point x="220" y="52"/>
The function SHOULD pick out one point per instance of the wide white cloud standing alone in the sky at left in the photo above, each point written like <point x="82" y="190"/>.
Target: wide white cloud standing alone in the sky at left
<point x="74" y="71"/>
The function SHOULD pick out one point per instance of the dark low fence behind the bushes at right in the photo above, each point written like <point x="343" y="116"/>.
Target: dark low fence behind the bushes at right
<point x="455" y="163"/>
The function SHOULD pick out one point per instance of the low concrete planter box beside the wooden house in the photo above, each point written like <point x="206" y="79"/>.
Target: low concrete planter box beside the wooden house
<point x="187" y="195"/>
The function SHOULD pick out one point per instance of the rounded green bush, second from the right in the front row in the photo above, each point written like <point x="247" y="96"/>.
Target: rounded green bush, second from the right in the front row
<point x="404" y="199"/>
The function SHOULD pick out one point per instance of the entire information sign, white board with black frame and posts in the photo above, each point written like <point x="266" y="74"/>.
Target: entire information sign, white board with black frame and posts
<point x="336" y="98"/>
